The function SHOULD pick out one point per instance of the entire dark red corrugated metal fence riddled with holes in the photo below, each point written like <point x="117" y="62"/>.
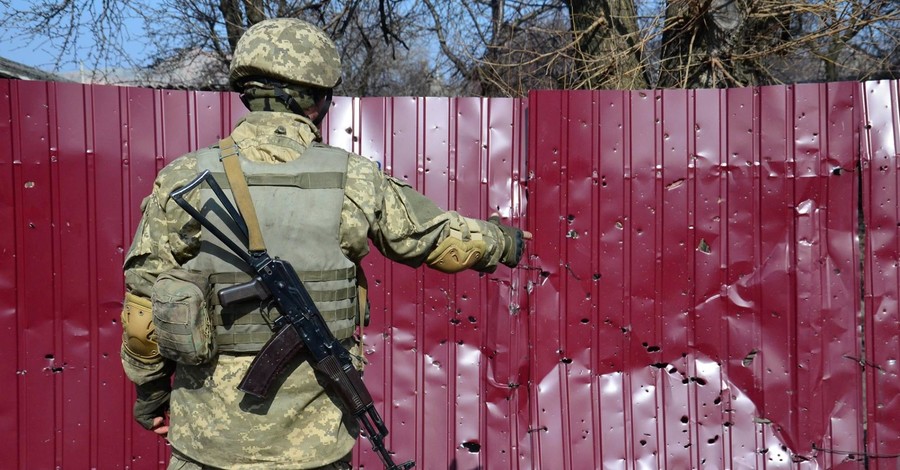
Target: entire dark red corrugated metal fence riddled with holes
<point x="696" y="295"/>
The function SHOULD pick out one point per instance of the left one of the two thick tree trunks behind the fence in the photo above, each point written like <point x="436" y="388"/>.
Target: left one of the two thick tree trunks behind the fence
<point x="607" y="43"/>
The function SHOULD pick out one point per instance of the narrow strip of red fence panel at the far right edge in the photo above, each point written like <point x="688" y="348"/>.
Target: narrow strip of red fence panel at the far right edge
<point x="880" y="164"/>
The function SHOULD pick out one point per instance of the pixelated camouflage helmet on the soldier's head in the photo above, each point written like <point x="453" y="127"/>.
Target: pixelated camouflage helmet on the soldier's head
<point x="288" y="50"/>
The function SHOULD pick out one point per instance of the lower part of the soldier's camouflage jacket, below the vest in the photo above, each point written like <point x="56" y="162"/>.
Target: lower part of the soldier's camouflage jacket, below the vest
<point x="214" y="423"/>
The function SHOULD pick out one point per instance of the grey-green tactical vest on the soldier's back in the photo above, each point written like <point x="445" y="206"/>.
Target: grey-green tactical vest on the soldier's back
<point x="298" y="204"/>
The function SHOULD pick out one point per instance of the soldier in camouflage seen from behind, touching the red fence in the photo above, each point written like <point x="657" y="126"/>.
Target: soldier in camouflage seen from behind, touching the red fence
<point x="317" y="206"/>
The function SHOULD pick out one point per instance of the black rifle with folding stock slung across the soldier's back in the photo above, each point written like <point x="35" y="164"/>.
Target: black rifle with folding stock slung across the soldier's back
<point x="300" y="325"/>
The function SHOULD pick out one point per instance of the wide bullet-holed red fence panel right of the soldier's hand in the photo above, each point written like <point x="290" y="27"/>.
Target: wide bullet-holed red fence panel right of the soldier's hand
<point x="697" y="306"/>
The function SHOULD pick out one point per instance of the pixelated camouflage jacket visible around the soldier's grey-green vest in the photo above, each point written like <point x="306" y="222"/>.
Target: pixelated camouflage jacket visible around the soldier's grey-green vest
<point x="302" y="427"/>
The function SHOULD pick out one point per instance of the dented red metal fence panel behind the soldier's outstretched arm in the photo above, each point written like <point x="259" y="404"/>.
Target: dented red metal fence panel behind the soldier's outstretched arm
<point x="450" y="350"/>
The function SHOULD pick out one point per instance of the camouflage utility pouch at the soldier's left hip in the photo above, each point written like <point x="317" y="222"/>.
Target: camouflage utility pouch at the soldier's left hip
<point x="181" y="315"/>
